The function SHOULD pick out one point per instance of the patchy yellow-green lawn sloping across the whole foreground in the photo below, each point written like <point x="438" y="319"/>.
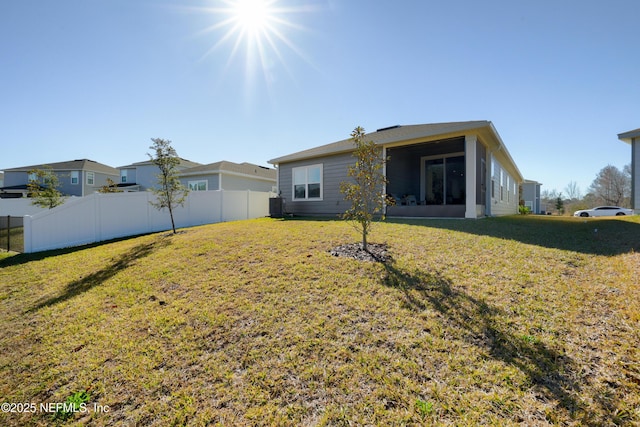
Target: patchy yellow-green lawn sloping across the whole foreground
<point x="500" y="321"/>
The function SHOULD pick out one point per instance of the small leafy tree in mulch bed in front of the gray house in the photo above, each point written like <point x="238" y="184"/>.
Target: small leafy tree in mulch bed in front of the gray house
<point x="366" y="192"/>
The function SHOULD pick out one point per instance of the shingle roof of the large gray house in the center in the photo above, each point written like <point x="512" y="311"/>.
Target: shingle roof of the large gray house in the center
<point x="386" y="136"/>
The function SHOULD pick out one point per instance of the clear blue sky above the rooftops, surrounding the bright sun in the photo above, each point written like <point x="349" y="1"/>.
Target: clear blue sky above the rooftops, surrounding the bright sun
<point x="98" y="78"/>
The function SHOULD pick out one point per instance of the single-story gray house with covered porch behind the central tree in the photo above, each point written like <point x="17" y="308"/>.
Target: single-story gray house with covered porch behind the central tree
<point x="460" y="169"/>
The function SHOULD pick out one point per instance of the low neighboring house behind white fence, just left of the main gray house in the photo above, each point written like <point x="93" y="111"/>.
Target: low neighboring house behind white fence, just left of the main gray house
<point x="229" y="176"/>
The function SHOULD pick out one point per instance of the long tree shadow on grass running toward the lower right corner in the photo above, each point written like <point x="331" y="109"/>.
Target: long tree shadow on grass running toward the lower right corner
<point x="551" y="373"/>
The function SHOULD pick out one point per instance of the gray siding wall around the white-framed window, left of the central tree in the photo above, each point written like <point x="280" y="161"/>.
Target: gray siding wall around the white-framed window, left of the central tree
<point x="334" y="171"/>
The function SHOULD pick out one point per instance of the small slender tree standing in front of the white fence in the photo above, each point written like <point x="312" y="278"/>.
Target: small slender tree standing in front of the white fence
<point x="171" y="192"/>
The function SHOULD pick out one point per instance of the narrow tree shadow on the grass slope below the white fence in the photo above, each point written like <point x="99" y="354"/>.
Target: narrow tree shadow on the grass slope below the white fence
<point x="86" y="283"/>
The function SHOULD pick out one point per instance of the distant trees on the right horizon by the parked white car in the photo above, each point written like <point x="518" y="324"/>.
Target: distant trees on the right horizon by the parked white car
<point x="611" y="186"/>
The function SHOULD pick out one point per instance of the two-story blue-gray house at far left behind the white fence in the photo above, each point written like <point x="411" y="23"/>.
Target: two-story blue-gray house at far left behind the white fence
<point x="77" y="178"/>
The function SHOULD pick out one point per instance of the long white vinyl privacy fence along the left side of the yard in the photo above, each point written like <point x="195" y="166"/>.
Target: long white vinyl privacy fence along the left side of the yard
<point x="107" y="216"/>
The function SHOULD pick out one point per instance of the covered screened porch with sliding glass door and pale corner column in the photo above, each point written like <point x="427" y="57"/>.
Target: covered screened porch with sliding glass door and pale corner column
<point x="441" y="178"/>
